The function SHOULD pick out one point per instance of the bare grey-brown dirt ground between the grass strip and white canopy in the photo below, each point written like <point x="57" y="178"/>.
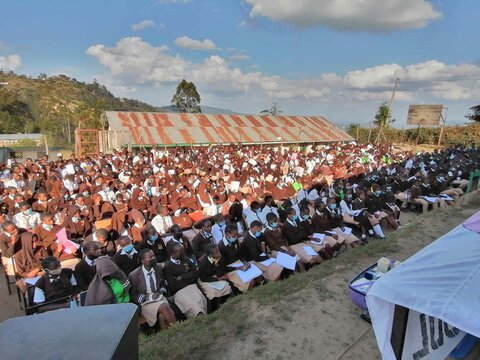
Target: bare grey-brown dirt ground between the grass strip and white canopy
<point x="322" y="323"/>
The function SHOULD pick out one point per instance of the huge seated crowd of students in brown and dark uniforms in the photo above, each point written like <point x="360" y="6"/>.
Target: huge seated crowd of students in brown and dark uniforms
<point x="177" y="231"/>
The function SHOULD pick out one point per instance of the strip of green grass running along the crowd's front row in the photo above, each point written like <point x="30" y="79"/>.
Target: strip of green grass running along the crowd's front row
<point x="202" y="337"/>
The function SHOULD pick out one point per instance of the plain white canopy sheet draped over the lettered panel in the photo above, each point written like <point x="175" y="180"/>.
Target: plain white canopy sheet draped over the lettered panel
<point x="442" y="281"/>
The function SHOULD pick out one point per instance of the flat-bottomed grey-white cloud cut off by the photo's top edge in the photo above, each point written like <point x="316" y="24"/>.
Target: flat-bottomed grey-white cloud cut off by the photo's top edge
<point x="349" y="15"/>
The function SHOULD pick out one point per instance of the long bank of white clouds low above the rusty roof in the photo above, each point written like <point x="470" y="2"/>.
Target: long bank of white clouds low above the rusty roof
<point x="133" y="62"/>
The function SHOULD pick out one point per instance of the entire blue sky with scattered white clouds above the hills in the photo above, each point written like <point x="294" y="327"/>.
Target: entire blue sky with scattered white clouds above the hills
<point x="336" y="58"/>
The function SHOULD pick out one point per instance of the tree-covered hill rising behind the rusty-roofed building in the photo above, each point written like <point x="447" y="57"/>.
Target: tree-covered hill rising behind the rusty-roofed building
<point x="56" y="105"/>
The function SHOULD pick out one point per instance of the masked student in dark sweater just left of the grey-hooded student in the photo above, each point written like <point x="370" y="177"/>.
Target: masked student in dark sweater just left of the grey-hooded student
<point x="57" y="286"/>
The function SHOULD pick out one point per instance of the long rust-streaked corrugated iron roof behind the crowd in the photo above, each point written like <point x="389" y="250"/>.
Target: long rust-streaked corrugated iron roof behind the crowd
<point x="178" y="128"/>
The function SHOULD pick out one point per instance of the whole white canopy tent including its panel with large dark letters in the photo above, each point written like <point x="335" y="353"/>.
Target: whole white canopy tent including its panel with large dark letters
<point x="423" y="308"/>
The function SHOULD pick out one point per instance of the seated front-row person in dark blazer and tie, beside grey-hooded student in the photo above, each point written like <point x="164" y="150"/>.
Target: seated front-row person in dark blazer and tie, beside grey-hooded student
<point x="149" y="291"/>
